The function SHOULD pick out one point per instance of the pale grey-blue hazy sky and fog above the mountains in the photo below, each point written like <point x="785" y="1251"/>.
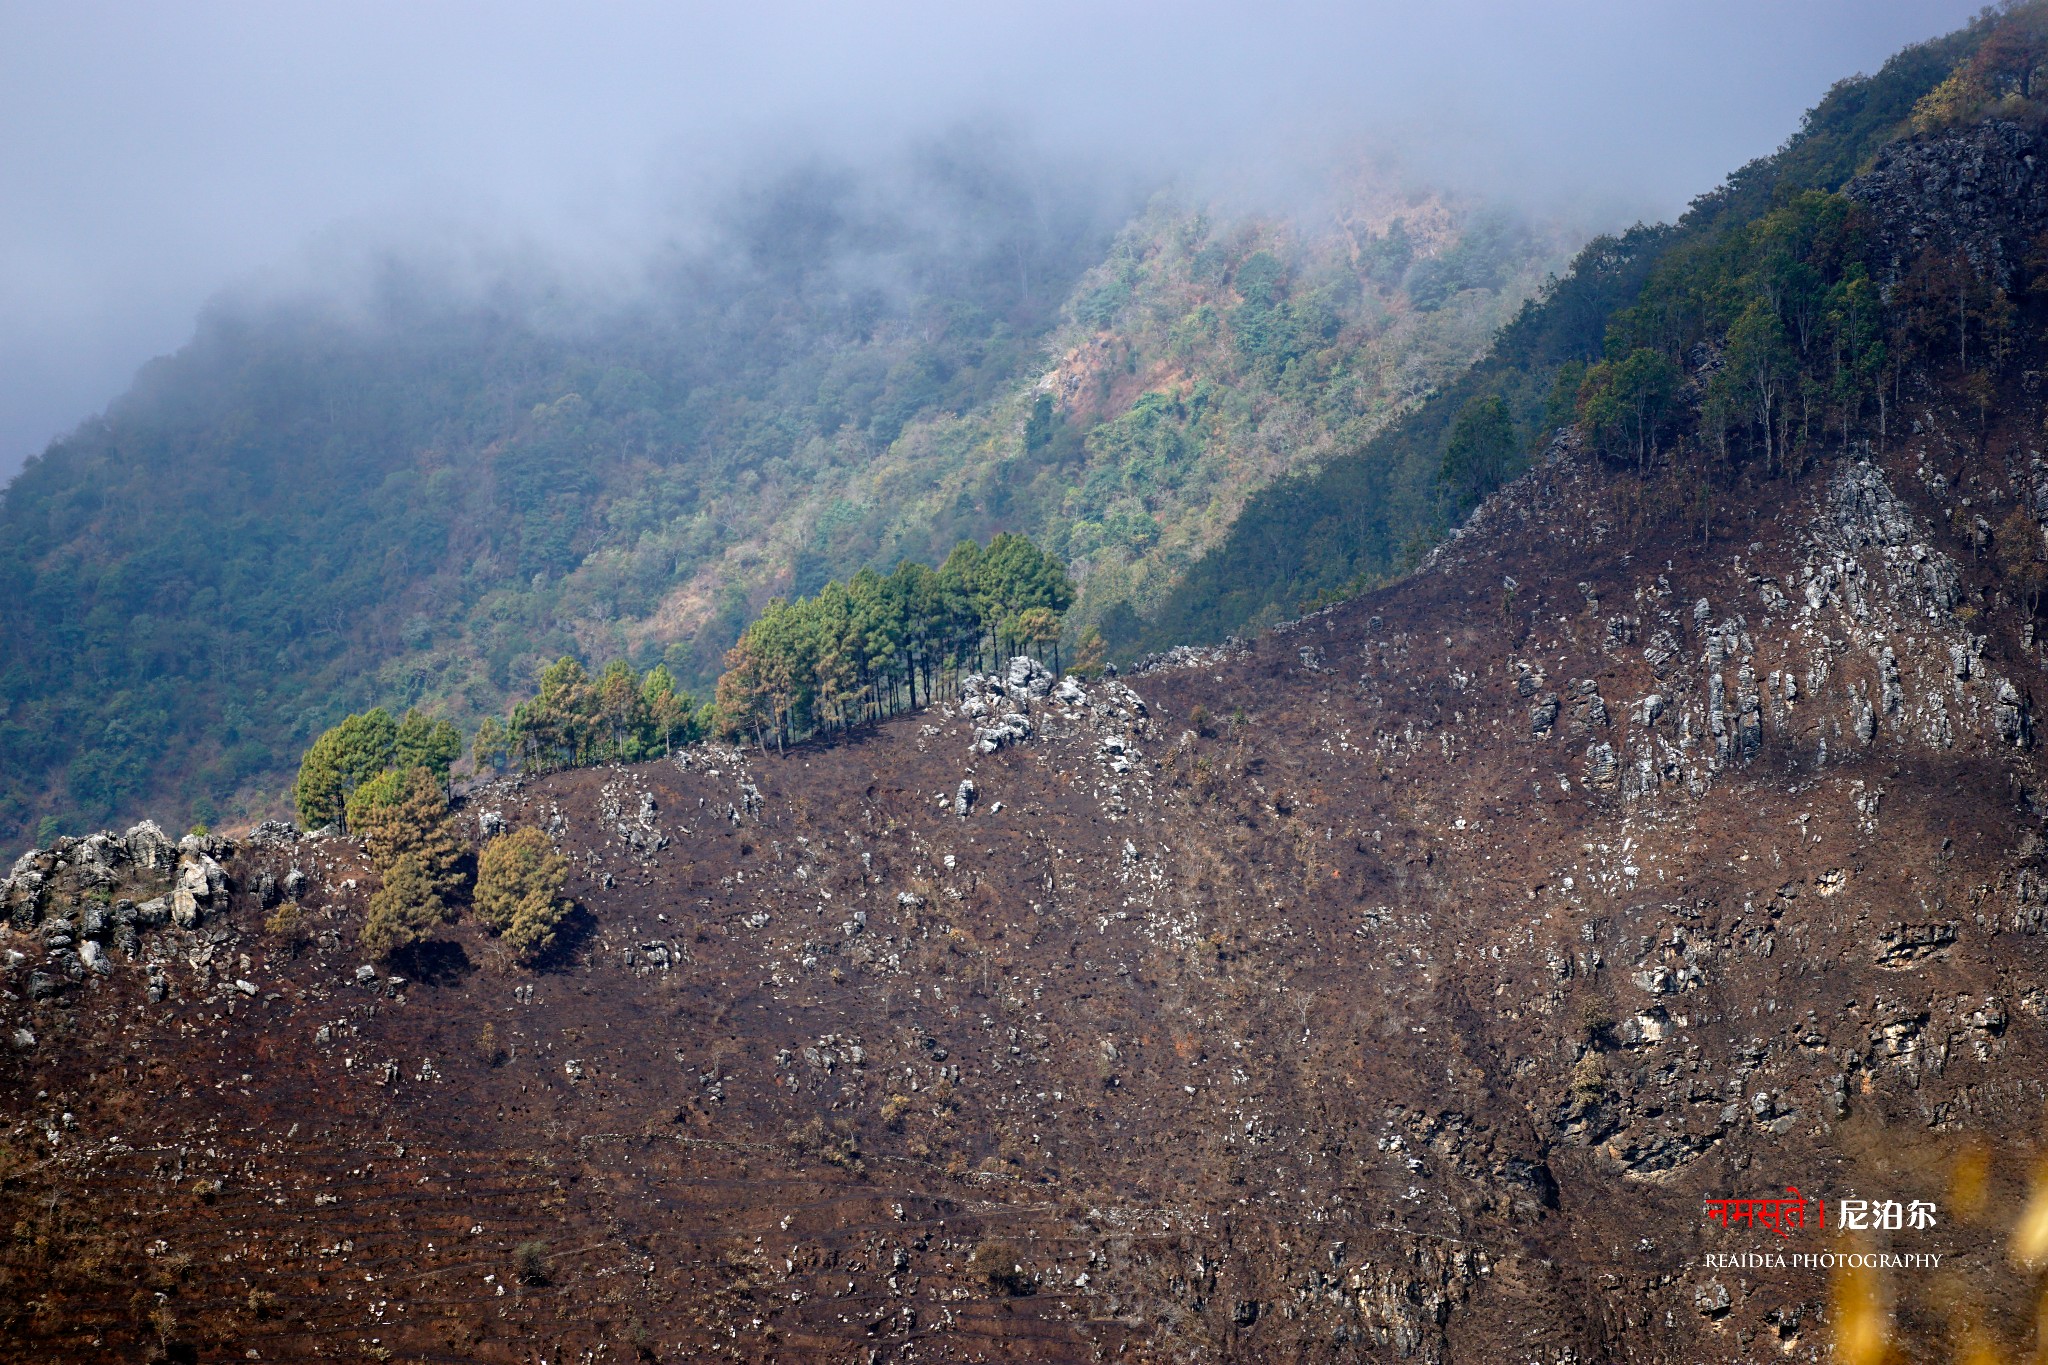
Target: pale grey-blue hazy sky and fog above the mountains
<point x="155" y="155"/>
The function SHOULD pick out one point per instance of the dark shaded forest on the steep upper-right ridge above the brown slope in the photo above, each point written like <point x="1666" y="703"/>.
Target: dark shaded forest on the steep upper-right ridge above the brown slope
<point x="1641" y="302"/>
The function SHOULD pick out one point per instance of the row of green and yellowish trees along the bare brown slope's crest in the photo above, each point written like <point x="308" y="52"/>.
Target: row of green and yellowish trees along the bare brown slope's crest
<point x="849" y="654"/>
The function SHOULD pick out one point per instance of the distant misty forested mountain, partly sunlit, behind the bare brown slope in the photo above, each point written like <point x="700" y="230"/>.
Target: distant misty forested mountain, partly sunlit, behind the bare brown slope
<point x="429" y="496"/>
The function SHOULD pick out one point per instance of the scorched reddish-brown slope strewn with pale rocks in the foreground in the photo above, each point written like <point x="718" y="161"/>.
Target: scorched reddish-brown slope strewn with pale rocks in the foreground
<point x="1400" y="985"/>
